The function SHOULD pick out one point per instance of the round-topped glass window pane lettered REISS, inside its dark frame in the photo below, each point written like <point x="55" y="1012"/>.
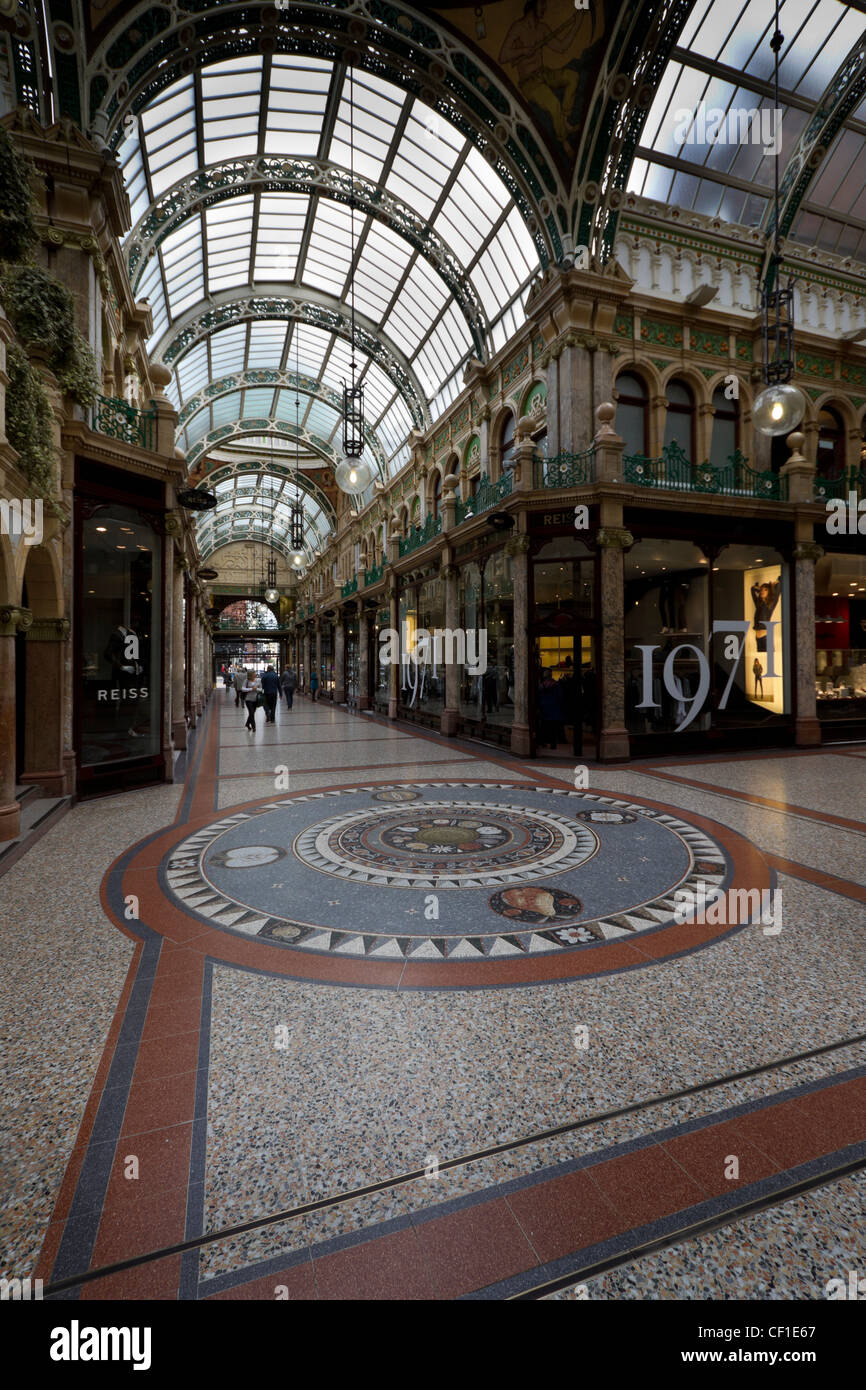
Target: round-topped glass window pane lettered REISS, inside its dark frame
<point x="120" y="625"/>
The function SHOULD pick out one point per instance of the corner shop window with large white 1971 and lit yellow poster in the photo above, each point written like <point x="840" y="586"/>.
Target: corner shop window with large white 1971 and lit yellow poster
<point x="708" y="646"/>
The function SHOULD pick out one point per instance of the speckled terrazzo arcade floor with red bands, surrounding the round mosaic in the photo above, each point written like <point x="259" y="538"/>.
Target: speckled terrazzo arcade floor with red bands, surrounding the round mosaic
<point x="258" y="1078"/>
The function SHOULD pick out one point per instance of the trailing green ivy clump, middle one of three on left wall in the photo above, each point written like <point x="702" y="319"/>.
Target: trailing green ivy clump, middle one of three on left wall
<point x="42" y="312"/>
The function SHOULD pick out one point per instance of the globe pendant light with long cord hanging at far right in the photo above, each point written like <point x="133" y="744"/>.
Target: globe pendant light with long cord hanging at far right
<point x="781" y="407"/>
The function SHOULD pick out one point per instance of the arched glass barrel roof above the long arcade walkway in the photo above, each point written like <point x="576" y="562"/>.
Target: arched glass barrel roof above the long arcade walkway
<point x="432" y="297"/>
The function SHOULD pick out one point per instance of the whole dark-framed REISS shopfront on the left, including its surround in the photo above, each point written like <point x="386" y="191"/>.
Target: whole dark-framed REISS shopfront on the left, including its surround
<point x="119" y="630"/>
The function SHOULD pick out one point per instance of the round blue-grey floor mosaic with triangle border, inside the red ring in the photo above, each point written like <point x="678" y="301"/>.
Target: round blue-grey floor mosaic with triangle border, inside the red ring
<point x="461" y="872"/>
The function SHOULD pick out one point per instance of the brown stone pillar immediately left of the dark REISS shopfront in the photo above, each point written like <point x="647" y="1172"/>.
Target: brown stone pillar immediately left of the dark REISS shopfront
<point x="44" y="728"/>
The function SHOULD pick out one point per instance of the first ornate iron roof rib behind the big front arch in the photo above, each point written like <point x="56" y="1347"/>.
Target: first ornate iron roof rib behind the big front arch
<point x="298" y="176"/>
